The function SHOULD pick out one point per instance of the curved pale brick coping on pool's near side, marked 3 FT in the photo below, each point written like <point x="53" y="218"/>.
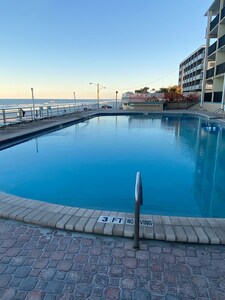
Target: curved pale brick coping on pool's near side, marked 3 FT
<point x="172" y="229"/>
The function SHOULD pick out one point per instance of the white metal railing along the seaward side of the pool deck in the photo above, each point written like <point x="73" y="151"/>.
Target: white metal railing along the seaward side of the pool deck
<point x="9" y="116"/>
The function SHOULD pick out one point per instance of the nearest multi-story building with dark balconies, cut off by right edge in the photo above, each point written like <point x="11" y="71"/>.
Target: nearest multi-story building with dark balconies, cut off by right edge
<point x="214" y="66"/>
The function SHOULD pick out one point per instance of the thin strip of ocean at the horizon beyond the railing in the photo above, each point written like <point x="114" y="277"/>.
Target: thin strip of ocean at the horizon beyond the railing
<point x="22" y="103"/>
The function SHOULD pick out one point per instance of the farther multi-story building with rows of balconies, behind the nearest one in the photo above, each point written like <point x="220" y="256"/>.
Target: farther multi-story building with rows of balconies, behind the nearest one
<point x="191" y="72"/>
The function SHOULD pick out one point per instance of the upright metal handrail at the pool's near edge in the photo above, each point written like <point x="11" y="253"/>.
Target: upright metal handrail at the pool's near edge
<point x="138" y="202"/>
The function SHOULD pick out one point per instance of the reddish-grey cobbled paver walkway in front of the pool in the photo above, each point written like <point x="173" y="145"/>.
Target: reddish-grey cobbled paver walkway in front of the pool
<point x="40" y="263"/>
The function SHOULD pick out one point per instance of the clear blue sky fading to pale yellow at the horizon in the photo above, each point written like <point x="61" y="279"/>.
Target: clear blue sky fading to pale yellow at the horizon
<point x="58" y="47"/>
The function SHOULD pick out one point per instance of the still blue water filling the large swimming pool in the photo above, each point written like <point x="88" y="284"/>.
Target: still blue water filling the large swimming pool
<point x="93" y="164"/>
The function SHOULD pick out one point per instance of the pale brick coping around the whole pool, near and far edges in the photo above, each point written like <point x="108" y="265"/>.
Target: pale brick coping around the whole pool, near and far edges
<point x="179" y="229"/>
